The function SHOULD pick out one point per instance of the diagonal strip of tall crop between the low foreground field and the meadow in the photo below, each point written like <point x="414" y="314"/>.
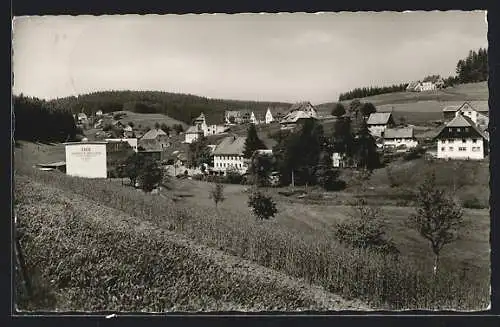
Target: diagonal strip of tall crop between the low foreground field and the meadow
<point x="321" y="260"/>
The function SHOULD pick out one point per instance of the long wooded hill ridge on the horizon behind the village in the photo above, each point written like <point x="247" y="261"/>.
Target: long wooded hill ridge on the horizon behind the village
<point x="183" y="107"/>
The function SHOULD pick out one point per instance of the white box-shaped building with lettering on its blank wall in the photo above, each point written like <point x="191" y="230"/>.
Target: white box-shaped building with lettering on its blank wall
<point x="93" y="159"/>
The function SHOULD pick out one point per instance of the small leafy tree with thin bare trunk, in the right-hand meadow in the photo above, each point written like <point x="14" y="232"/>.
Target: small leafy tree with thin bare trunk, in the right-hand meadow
<point x="437" y="218"/>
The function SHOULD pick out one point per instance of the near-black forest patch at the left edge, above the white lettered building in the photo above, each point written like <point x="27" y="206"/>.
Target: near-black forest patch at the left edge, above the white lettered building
<point x="40" y="120"/>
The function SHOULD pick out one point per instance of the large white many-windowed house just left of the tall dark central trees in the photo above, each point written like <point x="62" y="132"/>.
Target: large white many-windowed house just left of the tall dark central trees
<point x="228" y="154"/>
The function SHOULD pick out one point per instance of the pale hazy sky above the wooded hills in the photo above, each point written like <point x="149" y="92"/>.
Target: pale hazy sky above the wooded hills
<point x="263" y="57"/>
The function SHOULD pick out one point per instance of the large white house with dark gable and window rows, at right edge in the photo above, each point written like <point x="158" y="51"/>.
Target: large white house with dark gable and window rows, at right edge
<point x="461" y="139"/>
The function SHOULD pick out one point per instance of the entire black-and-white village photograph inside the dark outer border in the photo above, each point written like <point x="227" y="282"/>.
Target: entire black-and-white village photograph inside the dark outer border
<point x="252" y="163"/>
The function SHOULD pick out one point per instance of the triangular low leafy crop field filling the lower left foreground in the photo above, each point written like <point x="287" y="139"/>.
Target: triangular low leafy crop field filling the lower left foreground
<point x="92" y="258"/>
